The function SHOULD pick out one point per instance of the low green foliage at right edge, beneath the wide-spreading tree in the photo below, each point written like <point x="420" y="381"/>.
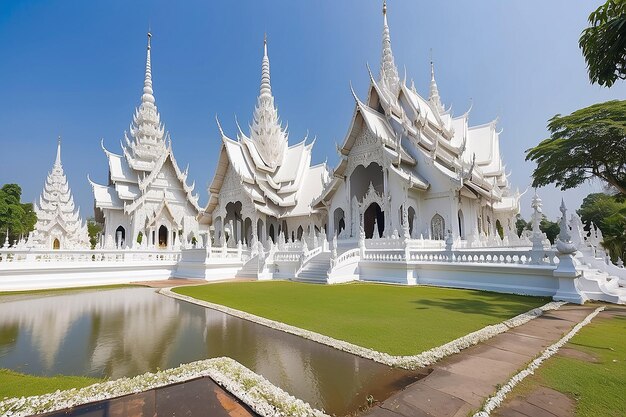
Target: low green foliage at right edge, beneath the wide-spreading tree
<point x="607" y="212"/>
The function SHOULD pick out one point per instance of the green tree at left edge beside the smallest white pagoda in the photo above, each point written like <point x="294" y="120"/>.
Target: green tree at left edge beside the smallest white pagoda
<point x="16" y="217"/>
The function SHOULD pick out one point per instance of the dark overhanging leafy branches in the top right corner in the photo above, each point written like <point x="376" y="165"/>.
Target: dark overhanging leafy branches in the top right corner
<point x="603" y="43"/>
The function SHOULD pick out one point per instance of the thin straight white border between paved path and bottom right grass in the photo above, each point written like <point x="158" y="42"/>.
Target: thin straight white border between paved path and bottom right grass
<point x="494" y="401"/>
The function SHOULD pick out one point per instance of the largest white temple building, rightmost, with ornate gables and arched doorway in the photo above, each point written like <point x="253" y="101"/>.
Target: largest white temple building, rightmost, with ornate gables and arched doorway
<point x="408" y="159"/>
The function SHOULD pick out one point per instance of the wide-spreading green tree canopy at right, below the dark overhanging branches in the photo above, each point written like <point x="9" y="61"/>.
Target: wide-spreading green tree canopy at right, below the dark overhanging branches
<point x="589" y="143"/>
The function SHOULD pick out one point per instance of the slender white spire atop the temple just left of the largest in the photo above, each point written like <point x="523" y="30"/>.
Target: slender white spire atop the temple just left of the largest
<point x="266" y="130"/>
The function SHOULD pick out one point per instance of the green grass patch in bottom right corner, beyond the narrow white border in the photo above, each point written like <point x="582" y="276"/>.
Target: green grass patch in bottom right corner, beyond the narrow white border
<point x="597" y="388"/>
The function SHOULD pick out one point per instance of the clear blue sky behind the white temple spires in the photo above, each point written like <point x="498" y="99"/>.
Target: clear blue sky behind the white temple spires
<point x="75" y="69"/>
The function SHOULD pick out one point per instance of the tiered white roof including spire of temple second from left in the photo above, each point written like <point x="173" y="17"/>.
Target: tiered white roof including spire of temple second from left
<point x="145" y="154"/>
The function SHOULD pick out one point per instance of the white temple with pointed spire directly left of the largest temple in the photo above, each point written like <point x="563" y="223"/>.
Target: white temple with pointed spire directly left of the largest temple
<point x="263" y="187"/>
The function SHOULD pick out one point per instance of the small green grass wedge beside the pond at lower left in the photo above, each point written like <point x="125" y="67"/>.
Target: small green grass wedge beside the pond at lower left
<point x="14" y="384"/>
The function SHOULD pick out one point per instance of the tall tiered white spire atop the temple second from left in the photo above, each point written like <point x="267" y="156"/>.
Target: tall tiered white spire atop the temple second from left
<point x="146" y="130"/>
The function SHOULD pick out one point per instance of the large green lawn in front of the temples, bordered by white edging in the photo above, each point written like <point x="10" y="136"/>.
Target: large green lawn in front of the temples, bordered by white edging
<point x="398" y="320"/>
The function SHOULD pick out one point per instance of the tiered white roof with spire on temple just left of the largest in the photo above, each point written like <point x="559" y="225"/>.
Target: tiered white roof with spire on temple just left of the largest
<point x="276" y="178"/>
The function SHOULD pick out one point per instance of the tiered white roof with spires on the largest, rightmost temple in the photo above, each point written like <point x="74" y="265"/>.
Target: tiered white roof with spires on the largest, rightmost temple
<point x="411" y="128"/>
